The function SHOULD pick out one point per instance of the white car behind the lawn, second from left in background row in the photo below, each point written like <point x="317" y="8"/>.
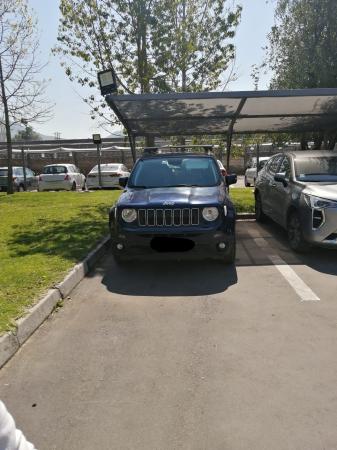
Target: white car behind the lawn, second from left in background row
<point x="61" y="177"/>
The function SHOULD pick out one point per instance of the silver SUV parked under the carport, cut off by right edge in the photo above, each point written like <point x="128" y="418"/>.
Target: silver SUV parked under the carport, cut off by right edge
<point x="298" y="190"/>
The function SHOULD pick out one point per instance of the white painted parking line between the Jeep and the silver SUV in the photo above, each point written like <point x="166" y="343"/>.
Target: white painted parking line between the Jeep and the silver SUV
<point x="303" y="290"/>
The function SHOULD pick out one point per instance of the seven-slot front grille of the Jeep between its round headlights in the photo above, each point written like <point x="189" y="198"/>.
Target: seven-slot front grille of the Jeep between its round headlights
<point x="168" y="217"/>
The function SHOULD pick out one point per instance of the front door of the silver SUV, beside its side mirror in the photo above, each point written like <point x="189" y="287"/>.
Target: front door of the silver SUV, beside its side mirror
<point x="281" y="193"/>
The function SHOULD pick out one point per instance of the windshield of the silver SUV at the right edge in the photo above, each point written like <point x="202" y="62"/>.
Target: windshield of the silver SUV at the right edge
<point x="315" y="169"/>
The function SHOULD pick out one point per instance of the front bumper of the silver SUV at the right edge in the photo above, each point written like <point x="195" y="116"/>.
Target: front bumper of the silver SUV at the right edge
<point x="326" y="234"/>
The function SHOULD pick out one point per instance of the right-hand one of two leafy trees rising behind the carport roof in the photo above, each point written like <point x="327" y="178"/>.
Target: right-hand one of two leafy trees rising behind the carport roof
<point x="194" y="48"/>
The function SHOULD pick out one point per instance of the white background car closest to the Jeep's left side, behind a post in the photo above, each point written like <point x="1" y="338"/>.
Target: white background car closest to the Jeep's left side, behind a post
<point x="110" y="174"/>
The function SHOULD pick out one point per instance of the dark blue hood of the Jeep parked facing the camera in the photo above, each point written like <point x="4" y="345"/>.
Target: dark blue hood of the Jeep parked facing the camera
<point x="173" y="196"/>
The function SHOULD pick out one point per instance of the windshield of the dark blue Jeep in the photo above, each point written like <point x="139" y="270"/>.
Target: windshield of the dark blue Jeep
<point x="175" y="172"/>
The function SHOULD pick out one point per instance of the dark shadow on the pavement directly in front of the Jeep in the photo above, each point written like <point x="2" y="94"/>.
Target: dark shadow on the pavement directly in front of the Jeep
<point x="162" y="278"/>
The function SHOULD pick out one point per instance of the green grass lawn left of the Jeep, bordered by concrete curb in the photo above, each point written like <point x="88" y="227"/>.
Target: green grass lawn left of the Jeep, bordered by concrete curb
<point x="42" y="235"/>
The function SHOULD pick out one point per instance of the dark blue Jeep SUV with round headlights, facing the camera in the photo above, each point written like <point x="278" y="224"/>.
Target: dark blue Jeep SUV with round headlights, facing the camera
<point x="174" y="202"/>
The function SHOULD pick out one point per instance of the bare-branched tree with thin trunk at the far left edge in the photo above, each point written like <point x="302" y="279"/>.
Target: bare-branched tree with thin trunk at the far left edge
<point x="22" y="96"/>
